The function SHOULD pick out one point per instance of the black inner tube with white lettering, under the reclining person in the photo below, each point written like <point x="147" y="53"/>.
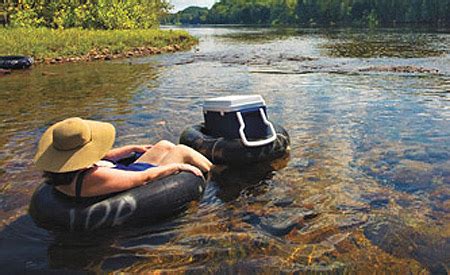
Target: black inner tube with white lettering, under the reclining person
<point x="154" y="202"/>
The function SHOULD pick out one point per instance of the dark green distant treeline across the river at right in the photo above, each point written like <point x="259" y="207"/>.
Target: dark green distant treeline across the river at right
<point x="317" y="12"/>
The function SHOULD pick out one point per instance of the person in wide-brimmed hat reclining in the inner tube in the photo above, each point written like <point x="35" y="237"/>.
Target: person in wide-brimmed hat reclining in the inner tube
<point x="76" y="157"/>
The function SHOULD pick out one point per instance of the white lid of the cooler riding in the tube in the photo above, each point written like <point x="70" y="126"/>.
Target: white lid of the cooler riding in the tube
<point x="233" y="103"/>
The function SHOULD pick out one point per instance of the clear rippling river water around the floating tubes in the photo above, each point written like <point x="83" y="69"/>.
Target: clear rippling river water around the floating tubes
<point x="366" y="187"/>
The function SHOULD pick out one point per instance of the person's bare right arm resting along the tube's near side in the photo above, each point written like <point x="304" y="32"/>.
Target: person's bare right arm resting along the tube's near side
<point x="102" y="180"/>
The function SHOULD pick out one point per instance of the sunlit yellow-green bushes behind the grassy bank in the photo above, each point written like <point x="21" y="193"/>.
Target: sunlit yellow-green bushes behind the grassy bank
<point x="90" y="14"/>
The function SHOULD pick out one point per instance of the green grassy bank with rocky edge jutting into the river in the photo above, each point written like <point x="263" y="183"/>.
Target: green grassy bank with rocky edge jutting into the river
<point x="54" y="45"/>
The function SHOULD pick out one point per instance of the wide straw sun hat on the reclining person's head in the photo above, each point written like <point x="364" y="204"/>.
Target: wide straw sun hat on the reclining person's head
<point x="73" y="144"/>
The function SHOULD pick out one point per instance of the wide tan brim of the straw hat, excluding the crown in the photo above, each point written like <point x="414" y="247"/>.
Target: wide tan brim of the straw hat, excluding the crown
<point x="49" y="159"/>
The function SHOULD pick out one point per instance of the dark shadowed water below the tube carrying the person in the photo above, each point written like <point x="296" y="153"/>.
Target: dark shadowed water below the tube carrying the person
<point x="63" y="251"/>
